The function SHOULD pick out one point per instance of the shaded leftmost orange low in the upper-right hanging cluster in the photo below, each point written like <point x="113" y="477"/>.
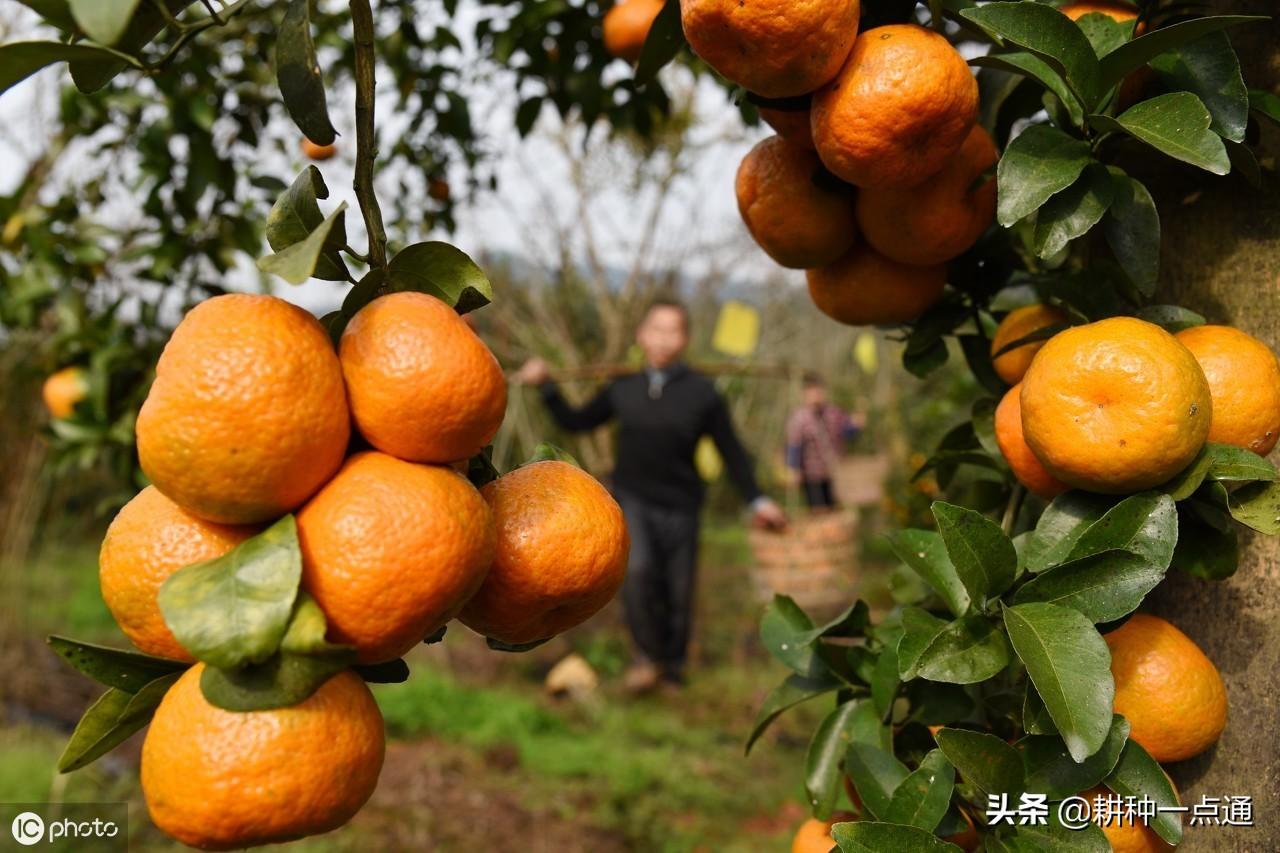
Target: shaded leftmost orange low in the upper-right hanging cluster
<point x="798" y="222"/>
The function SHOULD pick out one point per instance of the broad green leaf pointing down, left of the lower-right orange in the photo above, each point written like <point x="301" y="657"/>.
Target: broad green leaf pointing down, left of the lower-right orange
<point x="1071" y="667"/>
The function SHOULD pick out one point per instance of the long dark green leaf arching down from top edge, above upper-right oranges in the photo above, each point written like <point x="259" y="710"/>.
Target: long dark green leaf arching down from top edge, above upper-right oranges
<point x="1048" y="34"/>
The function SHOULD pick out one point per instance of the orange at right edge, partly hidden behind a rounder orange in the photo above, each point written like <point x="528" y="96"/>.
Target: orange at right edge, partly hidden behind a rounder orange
<point x="1245" y="380"/>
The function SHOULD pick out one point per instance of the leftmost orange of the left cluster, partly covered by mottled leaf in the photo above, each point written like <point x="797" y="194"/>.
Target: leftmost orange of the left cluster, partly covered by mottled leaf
<point x="150" y="539"/>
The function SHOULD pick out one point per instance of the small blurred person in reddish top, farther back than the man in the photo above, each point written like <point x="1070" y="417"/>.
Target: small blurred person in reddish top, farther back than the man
<point x="817" y="437"/>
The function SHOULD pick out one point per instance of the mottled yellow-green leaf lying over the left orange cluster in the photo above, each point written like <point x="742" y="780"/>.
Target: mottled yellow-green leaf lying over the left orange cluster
<point x="235" y="610"/>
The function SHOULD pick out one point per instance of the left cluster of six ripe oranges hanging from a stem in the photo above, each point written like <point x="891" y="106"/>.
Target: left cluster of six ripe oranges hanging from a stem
<point x="250" y="418"/>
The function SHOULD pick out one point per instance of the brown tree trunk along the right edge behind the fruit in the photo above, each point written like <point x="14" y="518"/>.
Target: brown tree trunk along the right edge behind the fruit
<point x="1222" y="258"/>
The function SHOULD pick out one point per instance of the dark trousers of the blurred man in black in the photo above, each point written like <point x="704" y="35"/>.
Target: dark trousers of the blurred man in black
<point x="659" y="595"/>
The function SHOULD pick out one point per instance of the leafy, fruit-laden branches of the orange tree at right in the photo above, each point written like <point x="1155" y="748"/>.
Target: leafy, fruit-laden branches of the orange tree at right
<point x="1014" y="670"/>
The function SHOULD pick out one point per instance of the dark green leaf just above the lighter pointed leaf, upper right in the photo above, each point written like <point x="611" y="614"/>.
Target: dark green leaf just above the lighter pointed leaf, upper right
<point x="1210" y="70"/>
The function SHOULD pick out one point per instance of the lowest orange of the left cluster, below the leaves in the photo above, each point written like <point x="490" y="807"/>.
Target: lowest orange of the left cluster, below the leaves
<point x="225" y="781"/>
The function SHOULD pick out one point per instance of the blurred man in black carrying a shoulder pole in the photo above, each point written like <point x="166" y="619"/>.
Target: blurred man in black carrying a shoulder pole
<point x="662" y="413"/>
